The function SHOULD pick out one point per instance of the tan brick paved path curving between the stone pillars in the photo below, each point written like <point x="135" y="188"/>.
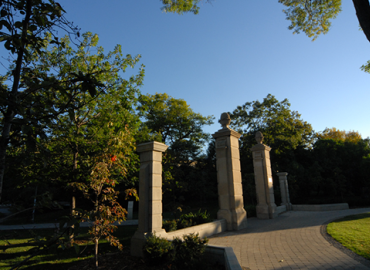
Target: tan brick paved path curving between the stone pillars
<point x="291" y="241"/>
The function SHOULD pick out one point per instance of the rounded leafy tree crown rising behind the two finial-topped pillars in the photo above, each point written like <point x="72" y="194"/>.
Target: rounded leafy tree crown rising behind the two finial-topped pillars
<point x="282" y="128"/>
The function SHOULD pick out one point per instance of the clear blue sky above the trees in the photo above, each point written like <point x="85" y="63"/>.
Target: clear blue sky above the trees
<point x="239" y="51"/>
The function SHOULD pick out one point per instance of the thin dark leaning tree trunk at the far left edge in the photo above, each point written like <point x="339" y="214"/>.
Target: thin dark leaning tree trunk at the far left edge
<point x="9" y="115"/>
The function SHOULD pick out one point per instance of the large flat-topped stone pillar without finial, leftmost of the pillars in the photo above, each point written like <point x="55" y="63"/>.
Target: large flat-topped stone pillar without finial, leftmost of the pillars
<point x="150" y="194"/>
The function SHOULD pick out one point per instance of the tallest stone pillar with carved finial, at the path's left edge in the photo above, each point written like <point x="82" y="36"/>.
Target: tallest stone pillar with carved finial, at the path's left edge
<point x="230" y="191"/>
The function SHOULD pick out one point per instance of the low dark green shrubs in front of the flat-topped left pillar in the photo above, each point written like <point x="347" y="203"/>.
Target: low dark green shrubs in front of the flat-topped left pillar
<point x="181" y="254"/>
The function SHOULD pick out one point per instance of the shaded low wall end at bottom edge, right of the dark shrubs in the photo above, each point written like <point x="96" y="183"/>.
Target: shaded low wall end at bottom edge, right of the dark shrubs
<point x="224" y="256"/>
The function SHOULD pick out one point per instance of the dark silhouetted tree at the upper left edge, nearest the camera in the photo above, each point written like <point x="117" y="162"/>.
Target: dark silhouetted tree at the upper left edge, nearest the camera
<point x="23" y="24"/>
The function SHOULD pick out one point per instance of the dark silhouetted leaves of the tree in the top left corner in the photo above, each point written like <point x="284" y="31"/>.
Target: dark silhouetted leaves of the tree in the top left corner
<point x="23" y="25"/>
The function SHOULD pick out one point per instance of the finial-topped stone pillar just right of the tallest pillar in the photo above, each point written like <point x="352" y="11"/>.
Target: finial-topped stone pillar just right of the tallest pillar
<point x="266" y="207"/>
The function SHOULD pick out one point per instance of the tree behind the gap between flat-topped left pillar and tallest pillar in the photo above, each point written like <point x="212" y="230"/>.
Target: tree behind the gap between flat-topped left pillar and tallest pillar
<point x="174" y="122"/>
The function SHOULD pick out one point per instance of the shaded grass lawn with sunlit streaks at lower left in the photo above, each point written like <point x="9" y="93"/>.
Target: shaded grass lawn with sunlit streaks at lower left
<point x="59" y="259"/>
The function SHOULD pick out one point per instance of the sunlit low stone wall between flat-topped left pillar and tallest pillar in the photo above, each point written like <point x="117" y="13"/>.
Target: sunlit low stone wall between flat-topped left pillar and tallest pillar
<point x="204" y="230"/>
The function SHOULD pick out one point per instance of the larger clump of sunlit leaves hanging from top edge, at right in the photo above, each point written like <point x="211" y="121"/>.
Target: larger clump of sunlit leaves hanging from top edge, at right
<point x="311" y="16"/>
